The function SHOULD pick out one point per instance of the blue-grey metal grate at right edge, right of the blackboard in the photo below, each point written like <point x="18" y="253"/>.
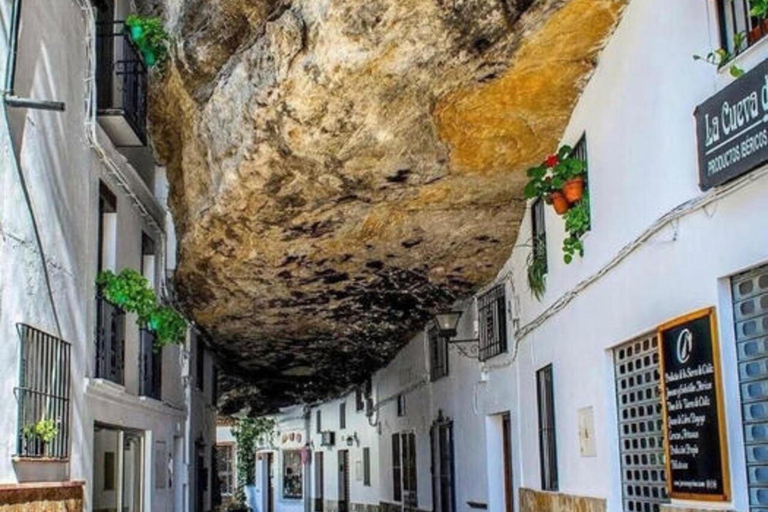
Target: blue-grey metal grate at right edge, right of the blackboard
<point x="750" y="309"/>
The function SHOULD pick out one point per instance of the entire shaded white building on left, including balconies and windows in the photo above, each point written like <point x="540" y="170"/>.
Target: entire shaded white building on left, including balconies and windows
<point x="81" y="194"/>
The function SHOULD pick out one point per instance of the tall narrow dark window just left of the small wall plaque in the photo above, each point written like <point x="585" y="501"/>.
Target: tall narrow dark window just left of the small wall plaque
<point x="547" y="442"/>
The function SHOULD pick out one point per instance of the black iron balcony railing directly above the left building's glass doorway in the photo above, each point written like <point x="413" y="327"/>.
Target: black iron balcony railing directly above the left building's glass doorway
<point x="110" y="341"/>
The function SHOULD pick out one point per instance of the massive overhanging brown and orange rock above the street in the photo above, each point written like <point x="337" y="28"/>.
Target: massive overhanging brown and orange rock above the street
<point x="343" y="169"/>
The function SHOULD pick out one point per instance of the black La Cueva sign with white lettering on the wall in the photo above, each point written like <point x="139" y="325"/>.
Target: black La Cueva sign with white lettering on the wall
<point x="732" y="129"/>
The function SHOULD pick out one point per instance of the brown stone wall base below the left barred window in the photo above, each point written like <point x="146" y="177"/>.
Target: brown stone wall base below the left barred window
<point x="42" y="497"/>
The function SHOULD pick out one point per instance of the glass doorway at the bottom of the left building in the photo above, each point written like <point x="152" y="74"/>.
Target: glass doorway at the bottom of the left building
<point x="118" y="470"/>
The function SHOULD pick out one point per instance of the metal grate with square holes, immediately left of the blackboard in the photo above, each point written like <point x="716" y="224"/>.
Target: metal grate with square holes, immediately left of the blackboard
<point x="641" y="434"/>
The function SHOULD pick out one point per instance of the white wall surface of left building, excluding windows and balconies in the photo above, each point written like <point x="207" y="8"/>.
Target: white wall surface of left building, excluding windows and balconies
<point x="66" y="159"/>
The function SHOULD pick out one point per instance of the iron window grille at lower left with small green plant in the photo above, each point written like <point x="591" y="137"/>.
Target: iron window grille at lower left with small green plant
<point x="43" y="393"/>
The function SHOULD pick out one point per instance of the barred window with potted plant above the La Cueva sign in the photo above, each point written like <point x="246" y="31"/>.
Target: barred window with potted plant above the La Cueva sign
<point x="738" y="30"/>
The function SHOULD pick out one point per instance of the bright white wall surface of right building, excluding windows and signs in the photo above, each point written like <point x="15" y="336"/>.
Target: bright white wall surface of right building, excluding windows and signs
<point x="659" y="248"/>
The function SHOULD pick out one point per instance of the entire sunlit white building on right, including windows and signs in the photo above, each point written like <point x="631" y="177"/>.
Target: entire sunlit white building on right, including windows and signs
<point x="557" y="406"/>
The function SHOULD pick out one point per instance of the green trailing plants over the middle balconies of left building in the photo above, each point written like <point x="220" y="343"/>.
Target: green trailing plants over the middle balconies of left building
<point x="131" y="292"/>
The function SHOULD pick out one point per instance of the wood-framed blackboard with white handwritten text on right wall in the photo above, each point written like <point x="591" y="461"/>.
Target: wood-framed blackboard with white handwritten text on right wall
<point x="695" y="442"/>
